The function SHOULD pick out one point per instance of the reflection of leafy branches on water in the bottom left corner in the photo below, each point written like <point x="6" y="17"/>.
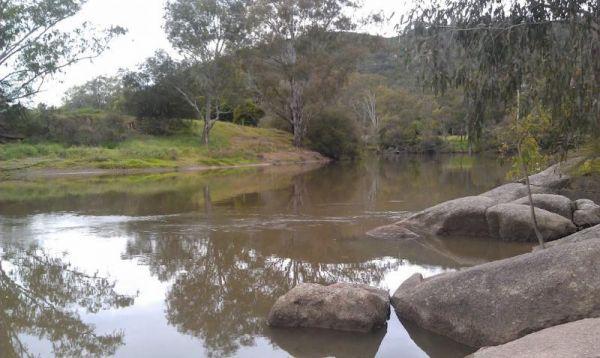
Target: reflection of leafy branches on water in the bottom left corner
<point x="41" y="296"/>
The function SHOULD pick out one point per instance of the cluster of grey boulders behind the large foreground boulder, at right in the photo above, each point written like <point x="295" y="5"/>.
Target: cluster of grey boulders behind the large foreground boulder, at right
<point x="503" y="213"/>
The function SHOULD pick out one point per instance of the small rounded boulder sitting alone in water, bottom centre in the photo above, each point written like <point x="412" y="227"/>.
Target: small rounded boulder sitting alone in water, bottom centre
<point x="341" y="306"/>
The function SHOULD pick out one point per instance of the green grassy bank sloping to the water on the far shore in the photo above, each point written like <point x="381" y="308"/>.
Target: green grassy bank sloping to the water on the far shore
<point x="230" y="144"/>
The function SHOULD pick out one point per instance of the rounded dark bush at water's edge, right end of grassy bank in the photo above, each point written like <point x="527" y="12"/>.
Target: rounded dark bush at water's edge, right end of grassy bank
<point x="334" y="134"/>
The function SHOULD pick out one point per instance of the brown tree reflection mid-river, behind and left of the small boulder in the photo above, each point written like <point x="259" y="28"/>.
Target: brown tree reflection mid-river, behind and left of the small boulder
<point x="224" y="286"/>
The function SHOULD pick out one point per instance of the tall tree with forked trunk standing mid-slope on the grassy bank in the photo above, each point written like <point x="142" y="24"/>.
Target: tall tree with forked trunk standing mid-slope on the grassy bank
<point x="207" y="33"/>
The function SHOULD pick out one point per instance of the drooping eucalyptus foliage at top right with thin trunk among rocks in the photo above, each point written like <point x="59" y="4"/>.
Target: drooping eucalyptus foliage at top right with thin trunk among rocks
<point x="498" y="51"/>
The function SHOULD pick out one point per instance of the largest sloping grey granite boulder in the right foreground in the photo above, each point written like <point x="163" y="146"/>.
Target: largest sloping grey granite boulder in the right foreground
<point x="501" y="301"/>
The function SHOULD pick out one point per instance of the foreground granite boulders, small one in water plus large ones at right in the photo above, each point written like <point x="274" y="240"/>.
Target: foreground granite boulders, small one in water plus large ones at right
<point x="524" y="306"/>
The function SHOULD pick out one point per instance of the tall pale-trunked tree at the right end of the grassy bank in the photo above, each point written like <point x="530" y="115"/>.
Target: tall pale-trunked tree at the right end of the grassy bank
<point x="300" y="59"/>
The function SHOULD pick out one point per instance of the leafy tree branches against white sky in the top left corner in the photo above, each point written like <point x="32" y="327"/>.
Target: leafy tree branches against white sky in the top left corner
<point x="33" y="47"/>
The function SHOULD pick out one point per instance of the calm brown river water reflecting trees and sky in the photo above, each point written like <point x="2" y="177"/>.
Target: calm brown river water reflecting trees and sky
<point x="198" y="259"/>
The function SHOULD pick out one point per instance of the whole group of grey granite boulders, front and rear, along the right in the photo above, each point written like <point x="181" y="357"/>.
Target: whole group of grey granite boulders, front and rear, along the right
<point x="540" y="304"/>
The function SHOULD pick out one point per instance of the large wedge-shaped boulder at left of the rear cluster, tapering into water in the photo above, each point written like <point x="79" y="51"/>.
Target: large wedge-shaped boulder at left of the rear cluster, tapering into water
<point x="459" y="217"/>
